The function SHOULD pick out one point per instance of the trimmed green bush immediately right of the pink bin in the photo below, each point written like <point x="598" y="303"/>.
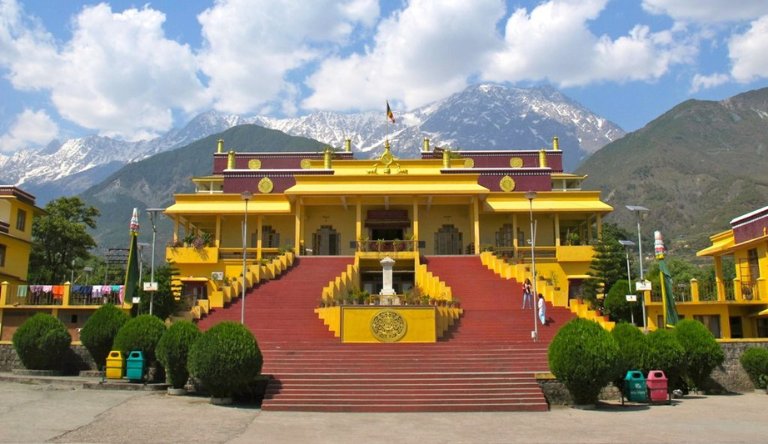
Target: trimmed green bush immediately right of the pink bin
<point x="701" y="352"/>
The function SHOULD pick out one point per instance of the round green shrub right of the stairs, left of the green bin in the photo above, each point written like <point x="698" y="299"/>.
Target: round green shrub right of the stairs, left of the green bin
<point x="583" y="357"/>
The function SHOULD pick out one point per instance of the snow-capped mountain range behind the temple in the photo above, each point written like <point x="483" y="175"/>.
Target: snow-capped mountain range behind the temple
<point x="485" y="116"/>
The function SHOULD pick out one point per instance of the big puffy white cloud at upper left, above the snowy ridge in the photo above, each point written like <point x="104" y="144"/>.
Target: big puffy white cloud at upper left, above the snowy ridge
<point x="118" y="74"/>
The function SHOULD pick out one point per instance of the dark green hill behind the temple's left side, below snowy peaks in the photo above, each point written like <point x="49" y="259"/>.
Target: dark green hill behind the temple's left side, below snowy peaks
<point x="152" y="182"/>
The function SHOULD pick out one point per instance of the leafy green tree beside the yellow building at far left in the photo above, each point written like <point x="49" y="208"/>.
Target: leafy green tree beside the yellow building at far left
<point x="59" y="237"/>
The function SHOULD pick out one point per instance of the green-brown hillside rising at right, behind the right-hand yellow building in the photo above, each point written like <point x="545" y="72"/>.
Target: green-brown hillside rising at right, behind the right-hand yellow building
<point x="695" y="167"/>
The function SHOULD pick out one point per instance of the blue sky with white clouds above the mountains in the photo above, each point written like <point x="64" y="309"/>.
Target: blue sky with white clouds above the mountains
<point x="133" y="70"/>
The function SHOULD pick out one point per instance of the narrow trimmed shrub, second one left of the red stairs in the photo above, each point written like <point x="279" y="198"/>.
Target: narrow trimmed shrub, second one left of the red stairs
<point x="172" y="351"/>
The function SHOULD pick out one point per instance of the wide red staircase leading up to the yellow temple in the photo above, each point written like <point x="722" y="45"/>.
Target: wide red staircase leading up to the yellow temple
<point x="486" y="363"/>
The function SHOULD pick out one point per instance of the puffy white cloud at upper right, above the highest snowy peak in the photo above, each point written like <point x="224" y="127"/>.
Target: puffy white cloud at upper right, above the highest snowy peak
<point x="554" y="43"/>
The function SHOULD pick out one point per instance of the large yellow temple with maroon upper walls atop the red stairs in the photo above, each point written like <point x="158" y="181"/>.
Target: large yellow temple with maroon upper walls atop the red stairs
<point x="331" y="204"/>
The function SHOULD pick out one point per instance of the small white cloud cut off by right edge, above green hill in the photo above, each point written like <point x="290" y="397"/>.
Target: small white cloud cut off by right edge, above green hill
<point x="749" y="52"/>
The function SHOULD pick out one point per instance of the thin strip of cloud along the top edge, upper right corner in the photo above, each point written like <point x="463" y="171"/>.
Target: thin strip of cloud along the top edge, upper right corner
<point x="708" y="11"/>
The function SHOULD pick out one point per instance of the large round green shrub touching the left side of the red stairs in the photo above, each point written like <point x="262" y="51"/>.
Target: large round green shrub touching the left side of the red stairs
<point x="225" y="359"/>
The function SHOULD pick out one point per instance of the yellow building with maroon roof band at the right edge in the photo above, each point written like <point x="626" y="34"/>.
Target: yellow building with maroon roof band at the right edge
<point x="732" y="309"/>
